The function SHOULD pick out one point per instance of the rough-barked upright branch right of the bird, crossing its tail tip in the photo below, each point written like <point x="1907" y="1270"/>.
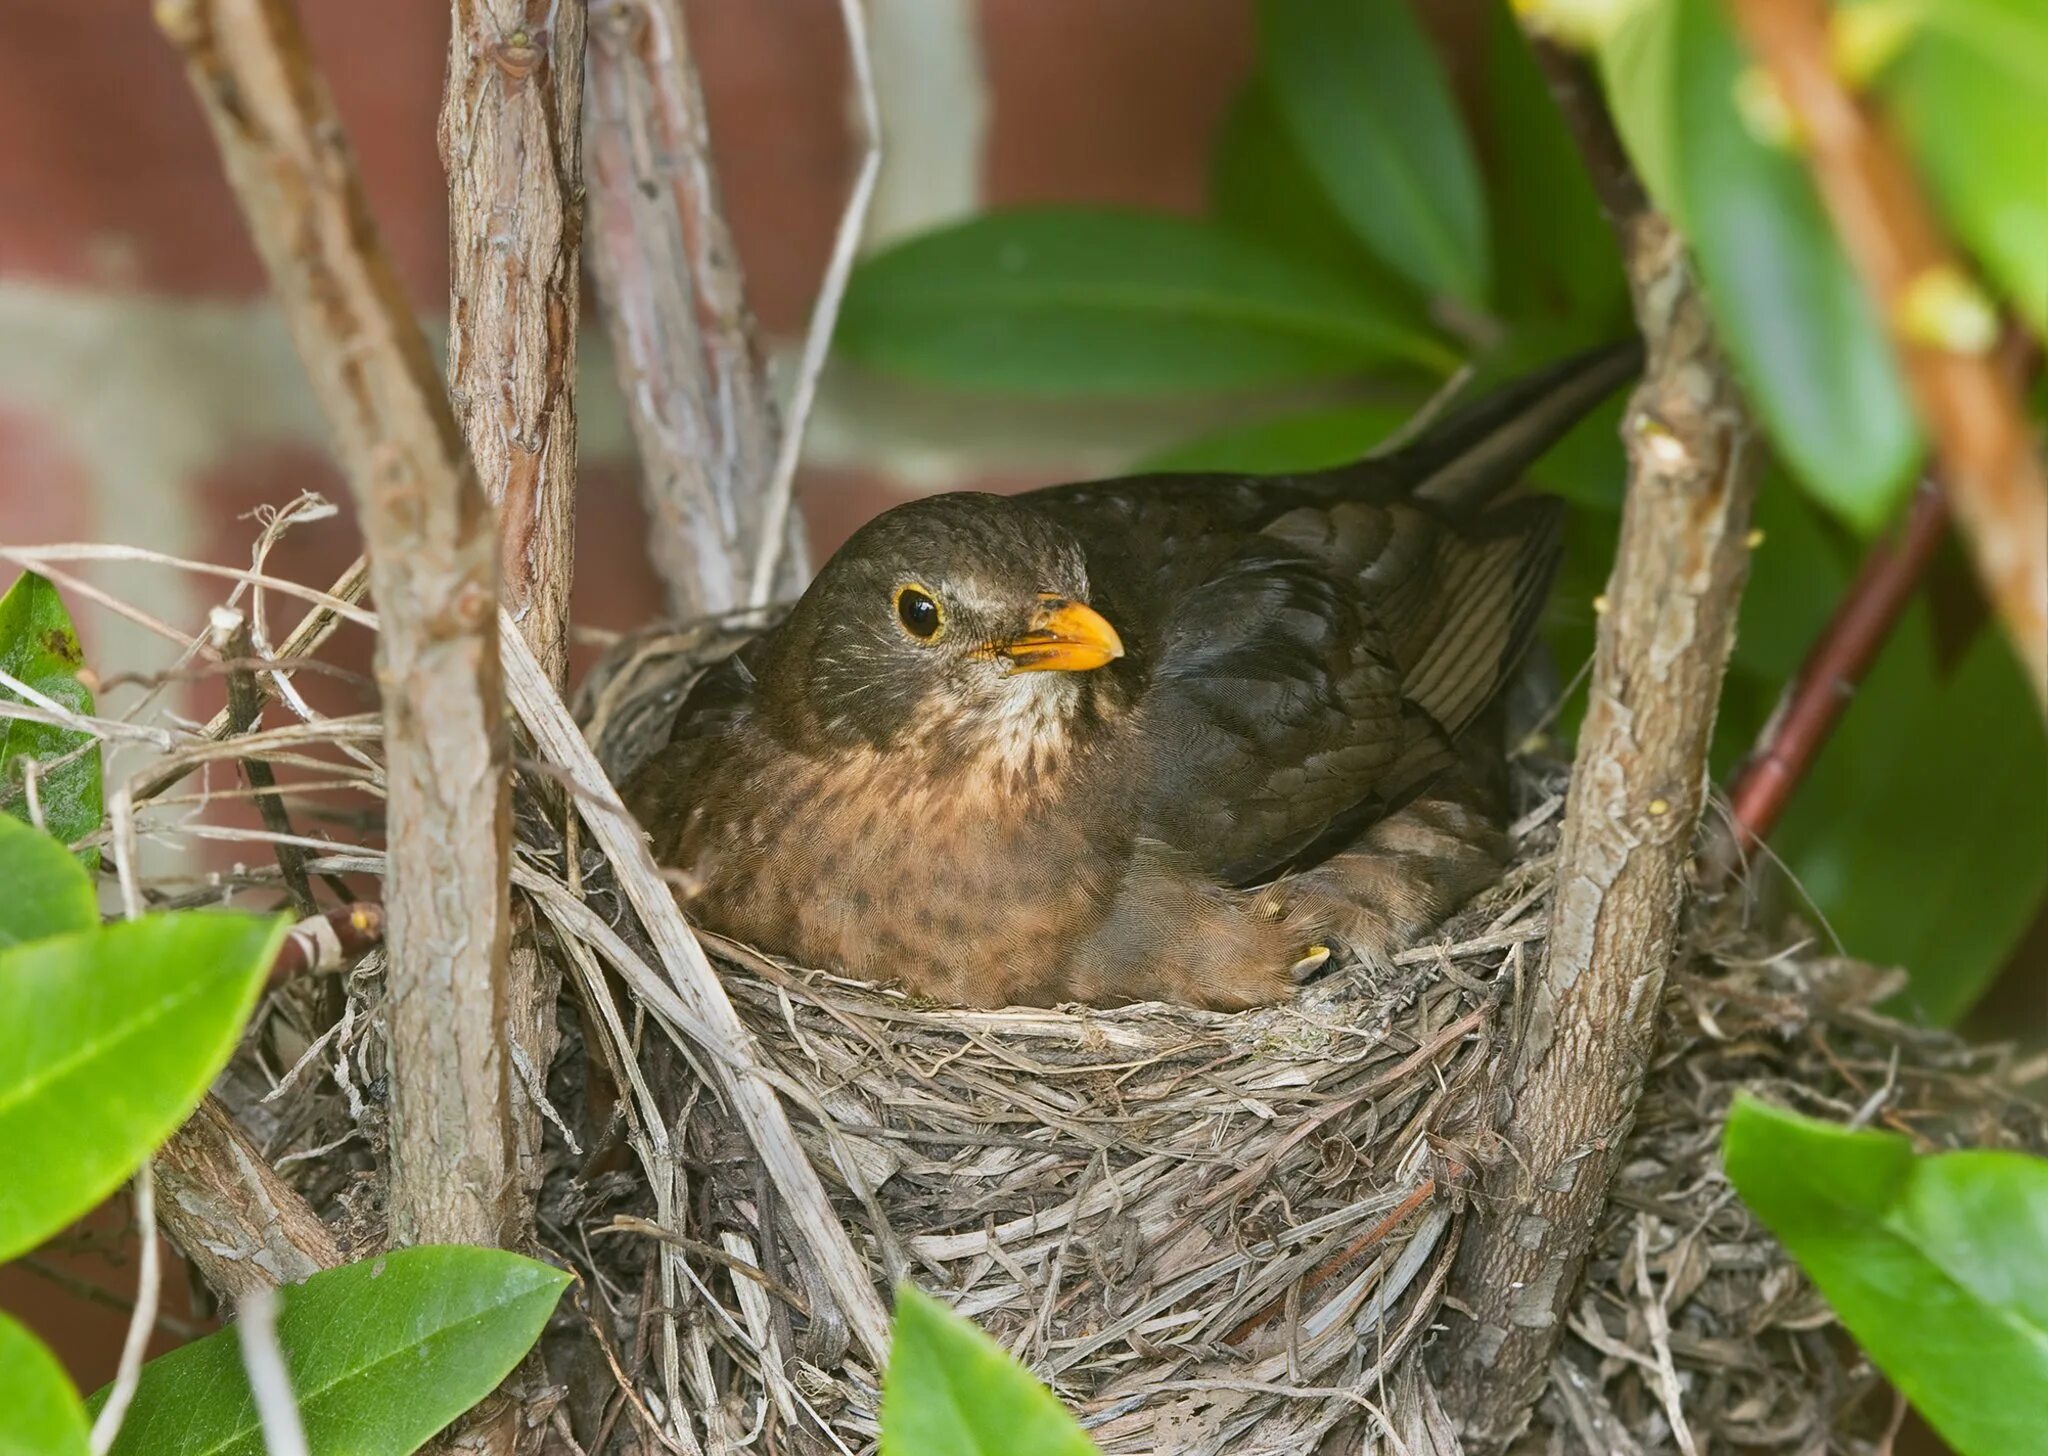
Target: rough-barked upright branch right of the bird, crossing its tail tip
<point x="1637" y="789"/>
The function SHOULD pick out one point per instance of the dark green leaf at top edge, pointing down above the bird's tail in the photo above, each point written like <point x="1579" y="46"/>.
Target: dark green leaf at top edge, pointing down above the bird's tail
<point x="1371" y="112"/>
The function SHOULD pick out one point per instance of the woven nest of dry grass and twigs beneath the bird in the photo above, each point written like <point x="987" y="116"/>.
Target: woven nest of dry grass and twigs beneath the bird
<point x="1209" y="1234"/>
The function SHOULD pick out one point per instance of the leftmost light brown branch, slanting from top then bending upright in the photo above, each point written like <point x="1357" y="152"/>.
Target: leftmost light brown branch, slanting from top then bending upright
<point x="435" y="576"/>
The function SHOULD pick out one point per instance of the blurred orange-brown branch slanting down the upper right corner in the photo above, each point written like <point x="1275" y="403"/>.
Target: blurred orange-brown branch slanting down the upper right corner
<point x="1969" y="404"/>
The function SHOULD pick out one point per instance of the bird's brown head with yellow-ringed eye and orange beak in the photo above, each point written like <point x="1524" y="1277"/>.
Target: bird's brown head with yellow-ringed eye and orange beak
<point x="949" y="617"/>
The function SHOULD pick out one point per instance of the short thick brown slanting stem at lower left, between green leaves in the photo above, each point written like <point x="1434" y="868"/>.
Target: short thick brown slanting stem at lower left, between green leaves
<point x="232" y="1213"/>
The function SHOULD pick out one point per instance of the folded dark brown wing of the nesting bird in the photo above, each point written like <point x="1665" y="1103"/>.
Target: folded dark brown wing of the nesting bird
<point x="1322" y="675"/>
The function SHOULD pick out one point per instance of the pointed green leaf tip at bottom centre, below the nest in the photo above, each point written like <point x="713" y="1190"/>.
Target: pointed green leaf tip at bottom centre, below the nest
<point x="953" y="1391"/>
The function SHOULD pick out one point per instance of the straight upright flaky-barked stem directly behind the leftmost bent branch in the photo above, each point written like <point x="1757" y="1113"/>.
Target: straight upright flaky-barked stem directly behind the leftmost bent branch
<point x="511" y="140"/>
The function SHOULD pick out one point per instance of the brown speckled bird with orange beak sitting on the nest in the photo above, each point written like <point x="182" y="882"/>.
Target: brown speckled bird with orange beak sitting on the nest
<point x="1156" y="738"/>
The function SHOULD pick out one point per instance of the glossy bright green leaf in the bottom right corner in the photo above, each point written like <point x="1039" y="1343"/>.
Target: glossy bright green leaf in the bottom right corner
<point x="1936" y="1265"/>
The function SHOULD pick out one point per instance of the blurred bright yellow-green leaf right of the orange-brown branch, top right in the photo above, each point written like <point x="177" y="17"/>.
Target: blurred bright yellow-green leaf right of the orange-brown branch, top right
<point x="1971" y="97"/>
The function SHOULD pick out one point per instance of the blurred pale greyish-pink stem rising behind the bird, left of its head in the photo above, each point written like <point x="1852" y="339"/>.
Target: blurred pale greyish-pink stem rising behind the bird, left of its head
<point x="675" y="304"/>
